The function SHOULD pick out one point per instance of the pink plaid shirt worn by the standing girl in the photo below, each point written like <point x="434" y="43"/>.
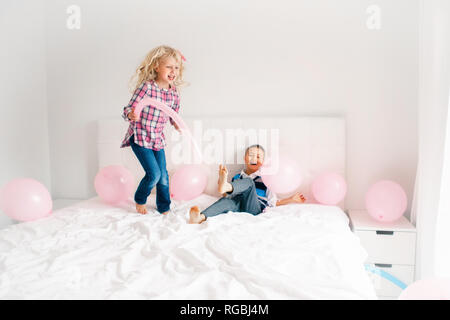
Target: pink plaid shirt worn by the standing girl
<point x="148" y="130"/>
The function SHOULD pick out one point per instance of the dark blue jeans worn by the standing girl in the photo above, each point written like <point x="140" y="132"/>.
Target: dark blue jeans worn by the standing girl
<point x="154" y="164"/>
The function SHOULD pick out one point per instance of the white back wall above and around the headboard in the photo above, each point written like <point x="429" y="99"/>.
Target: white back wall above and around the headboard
<point x="243" y="57"/>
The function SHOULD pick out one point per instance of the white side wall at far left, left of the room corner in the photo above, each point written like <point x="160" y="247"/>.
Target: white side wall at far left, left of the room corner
<point x="23" y="104"/>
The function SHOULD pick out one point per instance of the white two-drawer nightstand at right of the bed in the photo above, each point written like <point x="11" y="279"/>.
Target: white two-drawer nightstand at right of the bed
<point x="391" y="248"/>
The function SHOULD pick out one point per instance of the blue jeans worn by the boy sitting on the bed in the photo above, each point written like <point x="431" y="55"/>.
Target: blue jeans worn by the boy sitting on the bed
<point x="243" y="198"/>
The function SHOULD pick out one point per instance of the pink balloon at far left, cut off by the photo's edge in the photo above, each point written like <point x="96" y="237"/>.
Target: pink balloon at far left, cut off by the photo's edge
<point x="26" y="199"/>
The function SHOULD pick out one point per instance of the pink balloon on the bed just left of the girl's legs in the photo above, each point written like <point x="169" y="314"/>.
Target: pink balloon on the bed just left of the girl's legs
<point x="114" y="184"/>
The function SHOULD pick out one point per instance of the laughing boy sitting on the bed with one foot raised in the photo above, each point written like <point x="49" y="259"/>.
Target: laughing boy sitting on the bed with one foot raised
<point x="245" y="193"/>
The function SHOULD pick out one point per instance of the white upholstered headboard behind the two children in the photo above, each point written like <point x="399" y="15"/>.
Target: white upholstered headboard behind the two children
<point x="316" y="143"/>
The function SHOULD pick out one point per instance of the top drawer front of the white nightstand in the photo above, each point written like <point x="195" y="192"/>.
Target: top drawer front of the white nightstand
<point x="388" y="247"/>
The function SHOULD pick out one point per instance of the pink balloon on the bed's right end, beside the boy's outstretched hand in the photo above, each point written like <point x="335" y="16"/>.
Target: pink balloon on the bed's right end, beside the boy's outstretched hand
<point x="329" y="188"/>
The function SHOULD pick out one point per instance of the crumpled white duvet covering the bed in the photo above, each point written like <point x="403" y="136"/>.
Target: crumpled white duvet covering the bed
<point x="95" y="251"/>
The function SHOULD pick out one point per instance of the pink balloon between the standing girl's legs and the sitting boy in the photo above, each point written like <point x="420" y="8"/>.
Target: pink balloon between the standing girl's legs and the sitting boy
<point x="188" y="182"/>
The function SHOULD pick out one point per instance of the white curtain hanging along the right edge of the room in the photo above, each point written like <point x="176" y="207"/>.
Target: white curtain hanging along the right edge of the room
<point x="433" y="114"/>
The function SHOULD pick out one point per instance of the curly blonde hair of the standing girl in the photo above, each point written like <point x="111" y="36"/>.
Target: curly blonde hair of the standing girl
<point x="146" y="70"/>
